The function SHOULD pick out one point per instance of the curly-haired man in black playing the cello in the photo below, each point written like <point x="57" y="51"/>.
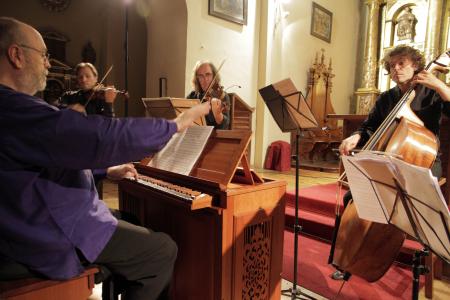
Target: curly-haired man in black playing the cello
<point x="405" y="65"/>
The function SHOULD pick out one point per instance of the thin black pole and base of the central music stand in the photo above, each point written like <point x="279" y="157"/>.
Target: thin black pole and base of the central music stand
<point x="295" y="290"/>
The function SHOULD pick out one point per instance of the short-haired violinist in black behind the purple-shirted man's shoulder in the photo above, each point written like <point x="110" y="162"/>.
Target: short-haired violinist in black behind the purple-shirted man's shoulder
<point x="89" y="99"/>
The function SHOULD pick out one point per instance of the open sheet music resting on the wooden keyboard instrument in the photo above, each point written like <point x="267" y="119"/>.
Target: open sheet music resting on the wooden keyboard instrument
<point x="183" y="150"/>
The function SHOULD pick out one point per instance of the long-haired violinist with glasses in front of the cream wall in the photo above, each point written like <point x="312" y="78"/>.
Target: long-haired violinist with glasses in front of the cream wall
<point x="202" y="76"/>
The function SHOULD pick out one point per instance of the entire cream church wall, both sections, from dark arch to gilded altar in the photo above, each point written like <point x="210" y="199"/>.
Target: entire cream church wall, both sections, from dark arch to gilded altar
<point x="290" y="49"/>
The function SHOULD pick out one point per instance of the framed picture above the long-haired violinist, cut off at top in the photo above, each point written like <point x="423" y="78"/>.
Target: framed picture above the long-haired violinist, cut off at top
<point x="231" y="10"/>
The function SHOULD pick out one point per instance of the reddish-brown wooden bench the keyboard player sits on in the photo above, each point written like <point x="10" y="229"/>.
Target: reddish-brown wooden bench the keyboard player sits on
<point x="76" y="288"/>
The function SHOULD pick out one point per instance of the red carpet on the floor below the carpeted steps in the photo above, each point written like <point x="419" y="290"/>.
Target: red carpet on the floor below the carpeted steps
<point x="313" y="274"/>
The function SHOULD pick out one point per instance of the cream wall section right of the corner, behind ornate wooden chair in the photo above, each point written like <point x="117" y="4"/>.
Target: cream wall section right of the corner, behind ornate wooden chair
<point x="292" y="49"/>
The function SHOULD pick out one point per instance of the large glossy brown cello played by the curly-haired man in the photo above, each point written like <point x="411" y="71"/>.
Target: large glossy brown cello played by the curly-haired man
<point x="368" y="249"/>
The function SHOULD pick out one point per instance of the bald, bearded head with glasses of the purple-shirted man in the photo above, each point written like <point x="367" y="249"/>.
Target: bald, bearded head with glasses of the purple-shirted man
<point x="23" y="57"/>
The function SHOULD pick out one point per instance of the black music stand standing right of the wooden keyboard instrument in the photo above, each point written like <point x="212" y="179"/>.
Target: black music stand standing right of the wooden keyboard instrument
<point x="291" y="112"/>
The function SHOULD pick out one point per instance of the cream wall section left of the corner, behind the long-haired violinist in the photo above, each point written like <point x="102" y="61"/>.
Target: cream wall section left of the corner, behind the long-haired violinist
<point x="215" y="39"/>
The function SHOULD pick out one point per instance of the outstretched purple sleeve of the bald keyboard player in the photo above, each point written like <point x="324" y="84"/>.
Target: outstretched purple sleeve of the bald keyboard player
<point x="48" y="137"/>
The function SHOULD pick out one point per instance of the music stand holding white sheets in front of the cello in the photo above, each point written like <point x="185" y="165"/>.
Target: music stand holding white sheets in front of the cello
<point x="388" y="190"/>
